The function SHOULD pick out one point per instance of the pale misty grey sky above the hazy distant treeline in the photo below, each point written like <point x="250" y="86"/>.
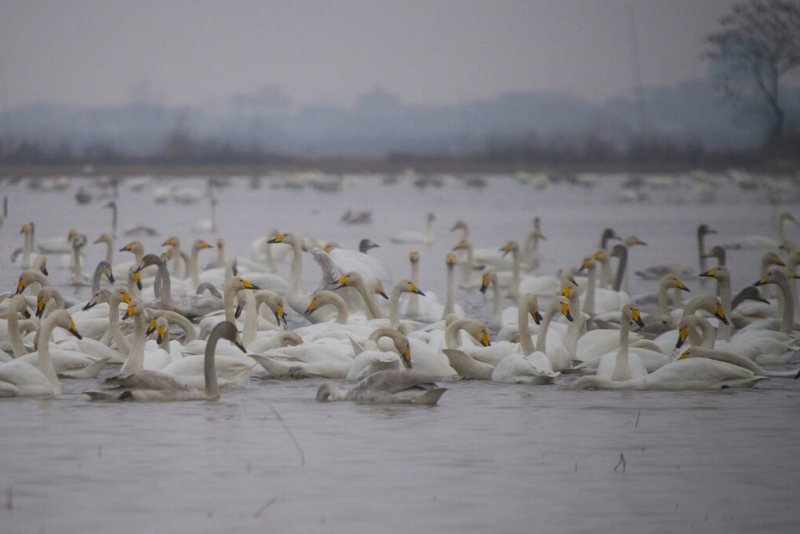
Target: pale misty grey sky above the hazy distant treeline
<point x="426" y="51"/>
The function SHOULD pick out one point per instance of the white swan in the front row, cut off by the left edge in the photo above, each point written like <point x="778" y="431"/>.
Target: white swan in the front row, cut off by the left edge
<point x="19" y="378"/>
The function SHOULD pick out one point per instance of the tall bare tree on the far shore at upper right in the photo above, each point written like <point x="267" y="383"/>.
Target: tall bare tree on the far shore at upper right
<point x="756" y="45"/>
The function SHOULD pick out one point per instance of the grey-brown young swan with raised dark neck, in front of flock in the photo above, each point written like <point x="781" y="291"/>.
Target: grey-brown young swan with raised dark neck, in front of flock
<point x="174" y="391"/>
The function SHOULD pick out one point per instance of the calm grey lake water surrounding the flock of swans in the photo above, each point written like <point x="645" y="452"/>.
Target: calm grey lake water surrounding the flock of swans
<point x="489" y="458"/>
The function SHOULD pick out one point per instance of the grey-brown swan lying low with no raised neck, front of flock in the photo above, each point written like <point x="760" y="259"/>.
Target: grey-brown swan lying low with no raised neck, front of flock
<point x="386" y="387"/>
